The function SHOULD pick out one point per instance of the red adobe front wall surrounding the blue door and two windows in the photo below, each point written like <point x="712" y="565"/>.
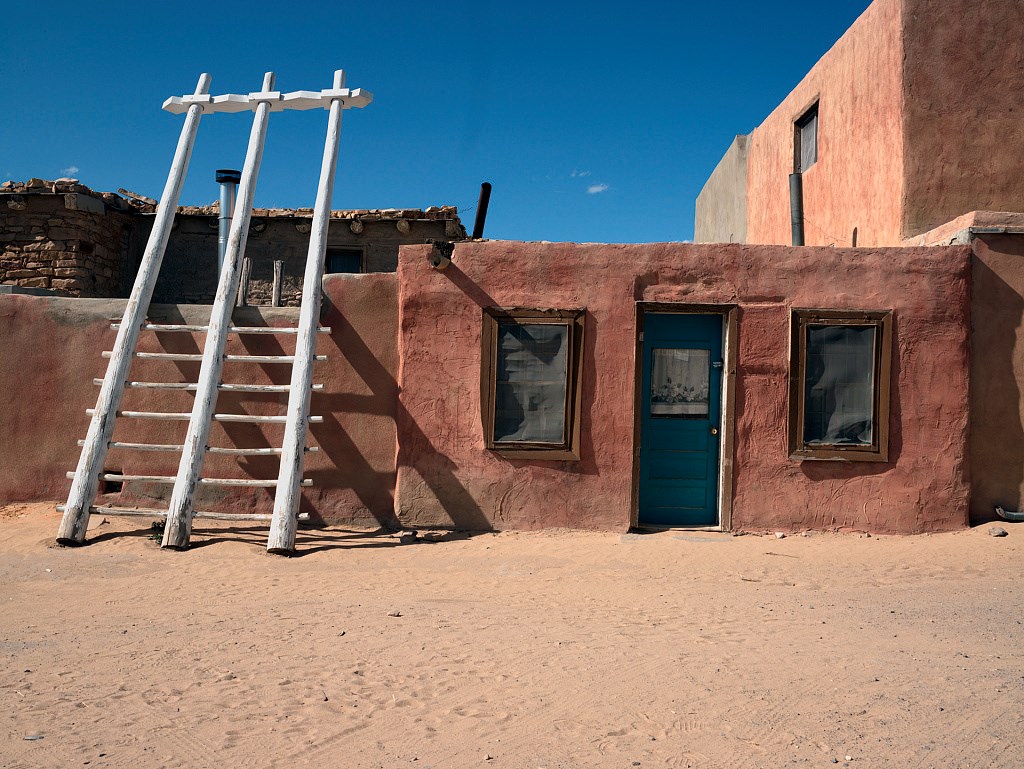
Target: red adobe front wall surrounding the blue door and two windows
<point x="447" y="478"/>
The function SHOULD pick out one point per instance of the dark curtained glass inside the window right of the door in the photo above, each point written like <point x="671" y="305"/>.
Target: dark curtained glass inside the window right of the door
<point x="839" y="386"/>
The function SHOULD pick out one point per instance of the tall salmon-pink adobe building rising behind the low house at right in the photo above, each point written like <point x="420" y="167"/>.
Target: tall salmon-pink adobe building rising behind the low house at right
<point x="909" y="132"/>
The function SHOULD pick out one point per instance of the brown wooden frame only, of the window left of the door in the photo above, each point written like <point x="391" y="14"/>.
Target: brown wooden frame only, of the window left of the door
<point x="494" y="318"/>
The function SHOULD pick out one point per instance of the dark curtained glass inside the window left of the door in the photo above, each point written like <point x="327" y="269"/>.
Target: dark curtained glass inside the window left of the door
<point x="531" y="383"/>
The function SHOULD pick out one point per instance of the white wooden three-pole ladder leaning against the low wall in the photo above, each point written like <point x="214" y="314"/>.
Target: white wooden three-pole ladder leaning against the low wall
<point x="181" y="510"/>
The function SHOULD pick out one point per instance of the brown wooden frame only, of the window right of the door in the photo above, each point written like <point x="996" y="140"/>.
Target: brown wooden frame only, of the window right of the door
<point x="882" y="321"/>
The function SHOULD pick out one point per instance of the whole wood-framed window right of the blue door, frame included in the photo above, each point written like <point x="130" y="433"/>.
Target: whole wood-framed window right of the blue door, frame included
<point x="840" y="377"/>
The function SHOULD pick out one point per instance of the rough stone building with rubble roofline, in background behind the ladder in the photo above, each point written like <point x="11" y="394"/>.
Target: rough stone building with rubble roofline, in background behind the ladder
<point x="63" y="237"/>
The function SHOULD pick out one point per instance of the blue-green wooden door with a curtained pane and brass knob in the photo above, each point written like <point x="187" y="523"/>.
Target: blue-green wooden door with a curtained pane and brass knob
<point x="681" y="400"/>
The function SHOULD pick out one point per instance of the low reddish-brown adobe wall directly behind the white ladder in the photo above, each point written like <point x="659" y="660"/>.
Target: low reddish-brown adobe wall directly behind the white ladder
<point x="51" y="352"/>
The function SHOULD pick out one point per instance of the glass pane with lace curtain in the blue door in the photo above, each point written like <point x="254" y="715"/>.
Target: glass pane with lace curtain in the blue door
<point x="680" y="383"/>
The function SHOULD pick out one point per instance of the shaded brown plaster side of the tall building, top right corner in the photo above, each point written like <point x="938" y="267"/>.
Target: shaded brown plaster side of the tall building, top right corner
<point x="963" y="136"/>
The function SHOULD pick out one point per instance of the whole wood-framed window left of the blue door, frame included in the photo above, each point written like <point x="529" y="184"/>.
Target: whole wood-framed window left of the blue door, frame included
<point x="531" y="380"/>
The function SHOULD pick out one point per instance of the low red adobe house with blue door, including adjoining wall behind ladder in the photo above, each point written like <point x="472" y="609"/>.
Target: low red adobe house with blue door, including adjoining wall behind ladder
<point x="533" y="386"/>
